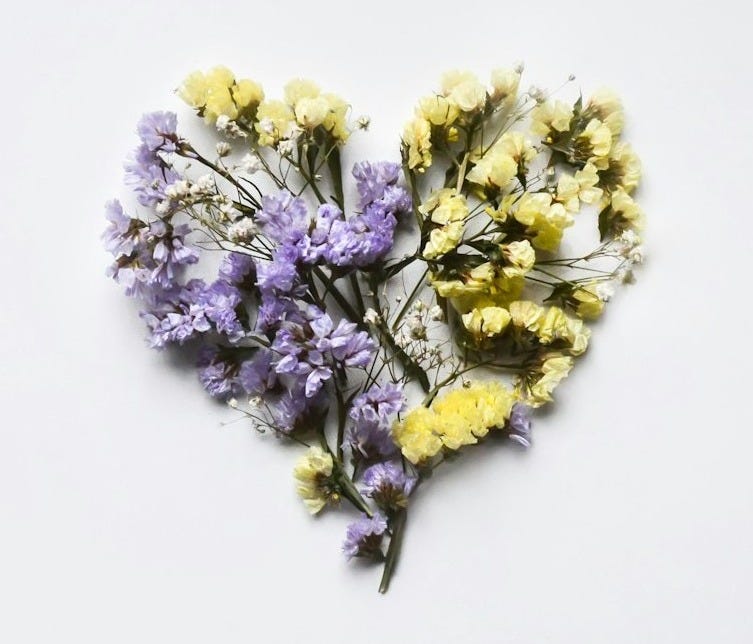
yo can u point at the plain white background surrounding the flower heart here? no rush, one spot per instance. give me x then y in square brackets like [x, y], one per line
[129, 514]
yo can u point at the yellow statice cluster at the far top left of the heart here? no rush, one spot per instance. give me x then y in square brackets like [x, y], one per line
[217, 93]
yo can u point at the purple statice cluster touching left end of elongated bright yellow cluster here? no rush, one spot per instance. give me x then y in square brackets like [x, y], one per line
[369, 435]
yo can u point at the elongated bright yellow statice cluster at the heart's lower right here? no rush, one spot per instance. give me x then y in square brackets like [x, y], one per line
[458, 418]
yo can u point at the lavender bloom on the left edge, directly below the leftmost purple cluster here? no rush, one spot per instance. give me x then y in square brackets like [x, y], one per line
[176, 316]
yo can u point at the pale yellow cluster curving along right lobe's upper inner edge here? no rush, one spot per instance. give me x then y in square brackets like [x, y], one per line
[462, 97]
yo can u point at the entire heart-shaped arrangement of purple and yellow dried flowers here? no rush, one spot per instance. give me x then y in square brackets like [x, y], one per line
[381, 364]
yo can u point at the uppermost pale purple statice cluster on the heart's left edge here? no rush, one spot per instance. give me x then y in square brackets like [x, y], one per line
[148, 171]
